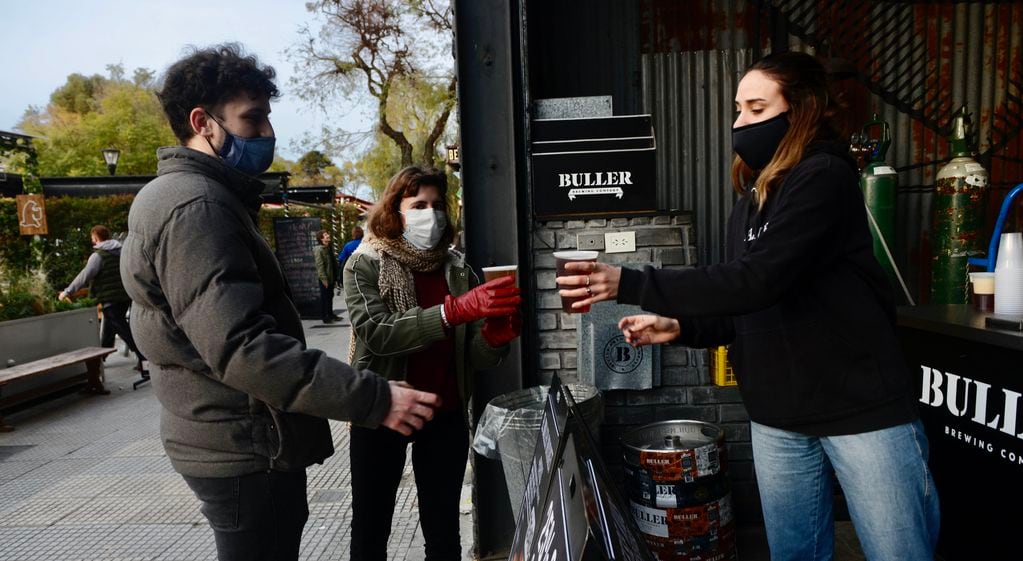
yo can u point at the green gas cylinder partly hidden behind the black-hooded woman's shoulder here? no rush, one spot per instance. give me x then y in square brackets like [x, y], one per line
[880, 184]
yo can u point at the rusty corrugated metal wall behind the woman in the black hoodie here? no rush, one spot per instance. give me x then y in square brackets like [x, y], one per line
[915, 64]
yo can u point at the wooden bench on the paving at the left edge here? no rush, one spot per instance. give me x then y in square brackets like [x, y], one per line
[92, 357]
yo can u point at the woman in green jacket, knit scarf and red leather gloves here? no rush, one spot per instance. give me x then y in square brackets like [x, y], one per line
[417, 320]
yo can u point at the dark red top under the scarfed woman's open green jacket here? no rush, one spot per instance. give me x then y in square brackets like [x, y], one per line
[433, 369]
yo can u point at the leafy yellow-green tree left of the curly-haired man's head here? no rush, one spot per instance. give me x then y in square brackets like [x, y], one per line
[90, 114]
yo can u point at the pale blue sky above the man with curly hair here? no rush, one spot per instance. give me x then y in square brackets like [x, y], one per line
[45, 41]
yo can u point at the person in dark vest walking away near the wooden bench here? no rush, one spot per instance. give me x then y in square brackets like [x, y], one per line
[103, 276]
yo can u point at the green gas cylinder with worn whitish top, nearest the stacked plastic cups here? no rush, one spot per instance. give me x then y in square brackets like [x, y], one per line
[958, 227]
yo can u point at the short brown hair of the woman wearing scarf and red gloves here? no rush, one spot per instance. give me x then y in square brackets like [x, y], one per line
[385, 218]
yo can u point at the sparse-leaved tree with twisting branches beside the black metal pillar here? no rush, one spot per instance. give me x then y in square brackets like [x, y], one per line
[382, 48]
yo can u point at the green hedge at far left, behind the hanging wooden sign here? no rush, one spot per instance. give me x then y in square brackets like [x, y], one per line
[64, 252]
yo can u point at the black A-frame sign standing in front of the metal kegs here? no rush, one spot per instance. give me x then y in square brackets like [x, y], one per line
[570, 510]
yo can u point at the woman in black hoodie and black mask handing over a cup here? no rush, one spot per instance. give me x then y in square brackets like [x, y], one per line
[810, 316]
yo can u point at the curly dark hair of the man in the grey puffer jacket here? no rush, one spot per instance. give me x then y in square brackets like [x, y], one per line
[208, 78]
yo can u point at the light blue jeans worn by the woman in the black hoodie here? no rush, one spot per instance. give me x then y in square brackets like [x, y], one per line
[884, 478]
